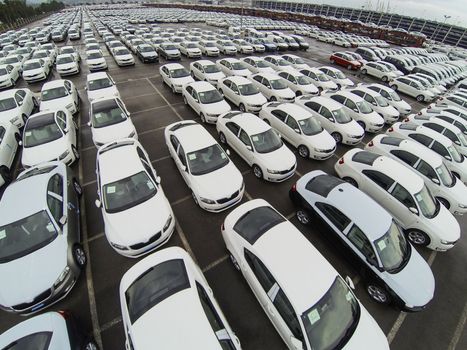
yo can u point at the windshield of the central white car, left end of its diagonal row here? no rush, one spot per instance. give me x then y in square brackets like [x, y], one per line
[207, 160]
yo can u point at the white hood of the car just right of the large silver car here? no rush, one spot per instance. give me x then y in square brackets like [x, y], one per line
[138, 224]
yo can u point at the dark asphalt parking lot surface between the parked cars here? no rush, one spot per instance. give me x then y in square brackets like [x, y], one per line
[153, 106]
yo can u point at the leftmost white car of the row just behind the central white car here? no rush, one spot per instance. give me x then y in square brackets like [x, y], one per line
[205, 100]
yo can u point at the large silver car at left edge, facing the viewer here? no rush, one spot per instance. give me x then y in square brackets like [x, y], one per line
[40, 252]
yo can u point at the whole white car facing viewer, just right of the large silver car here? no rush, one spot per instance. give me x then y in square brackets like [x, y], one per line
[137, 215]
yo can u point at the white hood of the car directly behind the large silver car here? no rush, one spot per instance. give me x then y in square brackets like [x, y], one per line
[45, 152]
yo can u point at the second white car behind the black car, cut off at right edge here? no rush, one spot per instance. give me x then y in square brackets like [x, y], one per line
[444, 186]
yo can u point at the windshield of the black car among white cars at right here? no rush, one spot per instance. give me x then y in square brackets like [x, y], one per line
[392, 249]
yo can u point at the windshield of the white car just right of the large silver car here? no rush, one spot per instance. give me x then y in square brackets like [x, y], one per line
[128, 192]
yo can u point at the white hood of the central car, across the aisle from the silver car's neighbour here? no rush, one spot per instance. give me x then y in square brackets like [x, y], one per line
[227, 180]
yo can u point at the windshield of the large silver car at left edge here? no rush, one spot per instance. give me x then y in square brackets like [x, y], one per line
[25, 236]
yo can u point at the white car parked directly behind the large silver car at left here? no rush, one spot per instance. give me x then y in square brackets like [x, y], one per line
[48, 136]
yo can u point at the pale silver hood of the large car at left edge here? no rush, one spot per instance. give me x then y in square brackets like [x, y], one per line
[25, 278]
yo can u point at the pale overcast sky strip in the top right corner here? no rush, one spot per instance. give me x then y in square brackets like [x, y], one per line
[429, 9]
